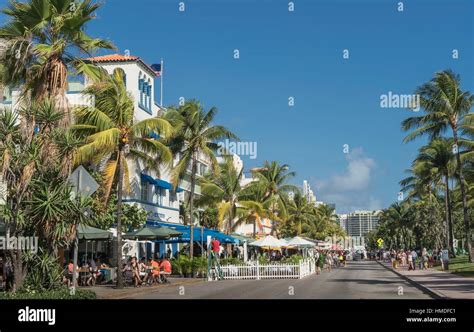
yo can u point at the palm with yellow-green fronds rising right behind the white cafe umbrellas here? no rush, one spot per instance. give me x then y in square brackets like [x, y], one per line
[273, 177]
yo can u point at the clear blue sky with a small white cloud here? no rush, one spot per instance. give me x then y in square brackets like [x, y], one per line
[299, 54]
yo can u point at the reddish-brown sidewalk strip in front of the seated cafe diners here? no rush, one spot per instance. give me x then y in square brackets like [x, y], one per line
[109, 292]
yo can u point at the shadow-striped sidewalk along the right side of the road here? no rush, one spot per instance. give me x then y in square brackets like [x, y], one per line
[441, 284]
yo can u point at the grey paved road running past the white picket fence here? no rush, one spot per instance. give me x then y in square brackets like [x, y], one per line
[358, 280]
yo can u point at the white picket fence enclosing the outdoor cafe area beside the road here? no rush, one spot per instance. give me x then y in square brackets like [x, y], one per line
[254, 270]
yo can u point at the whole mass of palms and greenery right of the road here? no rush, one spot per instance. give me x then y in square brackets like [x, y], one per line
[438, 207]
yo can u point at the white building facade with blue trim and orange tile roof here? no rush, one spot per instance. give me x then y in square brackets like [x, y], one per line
[152, 193]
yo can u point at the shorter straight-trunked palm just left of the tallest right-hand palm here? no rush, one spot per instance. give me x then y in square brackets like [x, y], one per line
[438, 157]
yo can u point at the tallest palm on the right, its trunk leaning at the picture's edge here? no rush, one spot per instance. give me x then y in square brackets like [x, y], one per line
[445, 106]
